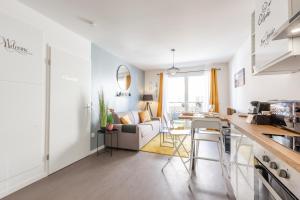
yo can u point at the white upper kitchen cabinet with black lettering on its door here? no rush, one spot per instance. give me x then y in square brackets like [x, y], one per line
[271, 56]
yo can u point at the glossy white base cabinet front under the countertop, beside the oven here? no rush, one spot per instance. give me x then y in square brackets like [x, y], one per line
[242, 165]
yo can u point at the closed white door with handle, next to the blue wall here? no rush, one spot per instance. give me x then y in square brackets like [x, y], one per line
[69, 120]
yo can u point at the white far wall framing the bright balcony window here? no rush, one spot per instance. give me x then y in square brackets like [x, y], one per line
[152, 84]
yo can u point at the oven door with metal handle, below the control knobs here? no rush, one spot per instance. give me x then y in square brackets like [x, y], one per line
[267, 186]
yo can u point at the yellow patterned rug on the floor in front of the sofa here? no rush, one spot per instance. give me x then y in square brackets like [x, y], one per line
[166, 149]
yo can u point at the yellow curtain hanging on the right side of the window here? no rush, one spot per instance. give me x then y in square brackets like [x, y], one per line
[214, 96]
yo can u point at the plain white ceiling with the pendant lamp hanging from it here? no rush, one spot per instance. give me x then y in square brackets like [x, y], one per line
[142, 32]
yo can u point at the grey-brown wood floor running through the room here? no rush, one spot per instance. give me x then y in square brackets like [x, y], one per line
[127, 175]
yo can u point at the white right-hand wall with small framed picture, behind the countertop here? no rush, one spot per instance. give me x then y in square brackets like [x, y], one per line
[261, 88]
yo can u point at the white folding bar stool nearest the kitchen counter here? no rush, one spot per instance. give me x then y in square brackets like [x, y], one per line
[198, 134]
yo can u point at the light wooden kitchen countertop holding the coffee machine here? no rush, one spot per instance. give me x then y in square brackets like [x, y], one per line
[255, 132]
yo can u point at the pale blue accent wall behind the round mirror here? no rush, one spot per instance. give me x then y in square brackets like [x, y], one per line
[104, 70]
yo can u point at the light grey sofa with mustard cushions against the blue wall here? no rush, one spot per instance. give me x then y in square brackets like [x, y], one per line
[135, 135]
